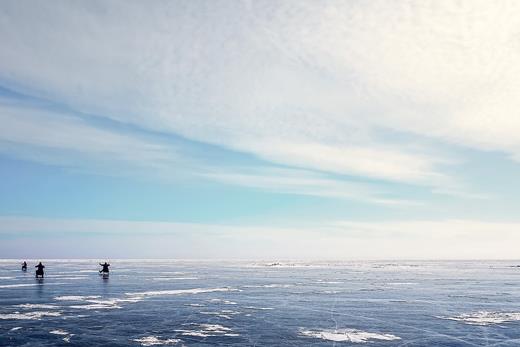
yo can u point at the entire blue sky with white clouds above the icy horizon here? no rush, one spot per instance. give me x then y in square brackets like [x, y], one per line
[260, 129]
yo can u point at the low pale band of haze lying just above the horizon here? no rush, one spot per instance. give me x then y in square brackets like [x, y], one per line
[426, 240]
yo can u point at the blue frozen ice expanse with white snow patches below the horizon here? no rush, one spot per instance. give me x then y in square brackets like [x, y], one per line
[179, 303]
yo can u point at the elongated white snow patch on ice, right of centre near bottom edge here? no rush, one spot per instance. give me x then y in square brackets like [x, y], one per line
[348, 335]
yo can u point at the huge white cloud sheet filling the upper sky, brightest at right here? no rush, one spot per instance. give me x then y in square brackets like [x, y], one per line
[303, 84]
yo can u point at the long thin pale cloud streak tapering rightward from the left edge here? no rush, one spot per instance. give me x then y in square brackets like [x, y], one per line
[58, 138]
